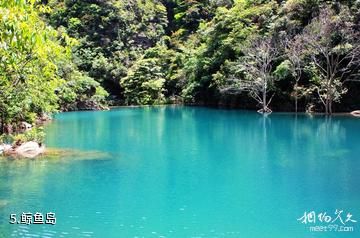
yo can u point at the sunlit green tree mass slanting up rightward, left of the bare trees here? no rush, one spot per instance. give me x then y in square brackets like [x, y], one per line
[220, 42]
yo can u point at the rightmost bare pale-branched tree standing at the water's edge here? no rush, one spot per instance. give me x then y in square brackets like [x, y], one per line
[333, 46]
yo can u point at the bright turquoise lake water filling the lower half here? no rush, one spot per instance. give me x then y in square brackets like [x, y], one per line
[187, 172]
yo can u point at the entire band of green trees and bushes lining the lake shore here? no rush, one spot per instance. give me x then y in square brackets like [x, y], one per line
[292, 55]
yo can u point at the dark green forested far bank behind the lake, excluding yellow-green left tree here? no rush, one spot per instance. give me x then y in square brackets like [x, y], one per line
[152, 51]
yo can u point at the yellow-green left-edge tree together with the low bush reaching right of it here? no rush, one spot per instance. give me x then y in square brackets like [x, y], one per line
[33, 58]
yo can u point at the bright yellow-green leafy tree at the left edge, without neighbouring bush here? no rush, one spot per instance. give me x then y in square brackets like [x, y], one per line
[28, 50]
